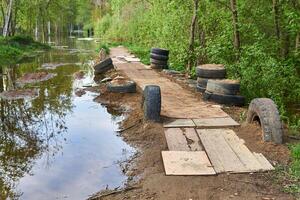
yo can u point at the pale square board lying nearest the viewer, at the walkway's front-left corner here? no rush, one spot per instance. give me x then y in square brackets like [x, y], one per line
[187, 163]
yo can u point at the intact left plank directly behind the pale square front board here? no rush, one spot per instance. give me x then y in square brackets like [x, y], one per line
[176, 140]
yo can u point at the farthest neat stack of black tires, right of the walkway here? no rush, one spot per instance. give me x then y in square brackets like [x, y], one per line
[159, 58]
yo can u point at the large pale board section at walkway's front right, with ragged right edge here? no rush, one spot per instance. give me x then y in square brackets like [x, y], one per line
[228, 153]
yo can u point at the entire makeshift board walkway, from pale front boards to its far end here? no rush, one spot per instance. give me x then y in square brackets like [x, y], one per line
[196, 146]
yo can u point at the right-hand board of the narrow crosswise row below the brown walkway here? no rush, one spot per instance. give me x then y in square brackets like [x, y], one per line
[215, 122]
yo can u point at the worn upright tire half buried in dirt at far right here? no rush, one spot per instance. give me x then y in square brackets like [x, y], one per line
[266, 111]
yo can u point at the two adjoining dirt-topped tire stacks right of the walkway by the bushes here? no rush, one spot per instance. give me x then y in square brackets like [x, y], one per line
[211, 81]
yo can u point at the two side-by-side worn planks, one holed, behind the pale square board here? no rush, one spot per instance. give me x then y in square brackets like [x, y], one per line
[182, 139]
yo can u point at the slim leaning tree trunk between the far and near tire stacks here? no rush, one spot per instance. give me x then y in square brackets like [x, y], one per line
[192, 34]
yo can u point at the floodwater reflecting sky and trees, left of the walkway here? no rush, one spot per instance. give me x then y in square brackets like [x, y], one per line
[58, 146]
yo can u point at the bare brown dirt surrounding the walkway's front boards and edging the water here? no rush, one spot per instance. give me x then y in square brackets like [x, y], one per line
[147, 179]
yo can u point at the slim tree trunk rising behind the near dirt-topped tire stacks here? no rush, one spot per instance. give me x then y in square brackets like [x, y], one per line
[236, 31]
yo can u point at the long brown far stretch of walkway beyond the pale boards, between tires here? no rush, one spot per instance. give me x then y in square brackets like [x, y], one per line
[177, 102]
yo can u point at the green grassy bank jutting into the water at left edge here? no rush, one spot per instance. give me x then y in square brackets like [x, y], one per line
[14, 49]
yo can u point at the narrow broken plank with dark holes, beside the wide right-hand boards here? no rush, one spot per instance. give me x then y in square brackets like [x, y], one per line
[193, 139]
